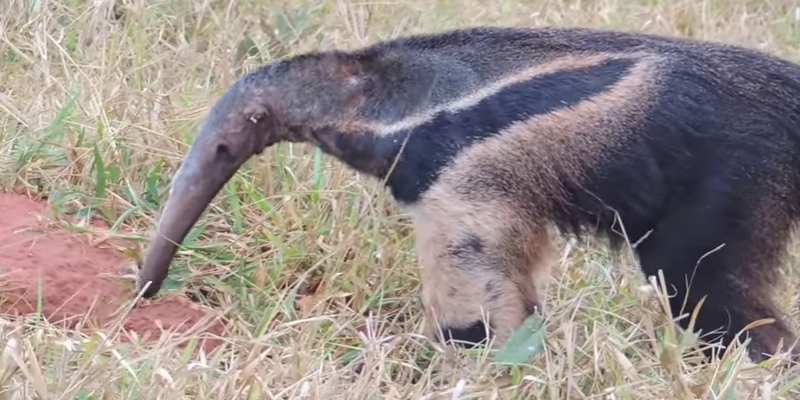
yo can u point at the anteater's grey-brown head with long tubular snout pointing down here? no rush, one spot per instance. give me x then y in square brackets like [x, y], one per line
[287, 101]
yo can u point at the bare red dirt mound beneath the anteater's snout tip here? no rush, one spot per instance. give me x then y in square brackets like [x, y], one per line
[77, 278]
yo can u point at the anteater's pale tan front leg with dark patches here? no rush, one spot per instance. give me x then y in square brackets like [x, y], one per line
[480, 263]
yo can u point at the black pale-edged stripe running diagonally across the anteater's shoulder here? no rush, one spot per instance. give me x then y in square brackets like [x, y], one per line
[433, 145]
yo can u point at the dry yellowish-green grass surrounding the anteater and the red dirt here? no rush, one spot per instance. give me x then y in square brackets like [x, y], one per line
[311, 263]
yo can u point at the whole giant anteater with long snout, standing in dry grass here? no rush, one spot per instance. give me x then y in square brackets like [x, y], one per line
[495, 139]
